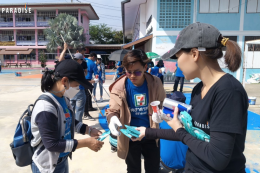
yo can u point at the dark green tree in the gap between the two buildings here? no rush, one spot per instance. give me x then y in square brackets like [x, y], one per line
[102, 34]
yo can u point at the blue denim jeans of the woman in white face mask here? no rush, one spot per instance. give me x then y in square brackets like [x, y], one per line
[62, 167]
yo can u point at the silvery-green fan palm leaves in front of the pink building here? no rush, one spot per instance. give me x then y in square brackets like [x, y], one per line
[67, 26]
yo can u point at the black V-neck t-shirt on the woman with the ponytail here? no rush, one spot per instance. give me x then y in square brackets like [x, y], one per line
[223, 109]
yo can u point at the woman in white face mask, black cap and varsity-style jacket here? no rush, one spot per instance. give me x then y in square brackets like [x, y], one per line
[53, 129]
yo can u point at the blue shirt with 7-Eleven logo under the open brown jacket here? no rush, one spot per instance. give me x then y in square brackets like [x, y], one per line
[138, 100]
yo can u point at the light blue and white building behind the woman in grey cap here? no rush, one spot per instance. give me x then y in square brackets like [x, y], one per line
[153, 25]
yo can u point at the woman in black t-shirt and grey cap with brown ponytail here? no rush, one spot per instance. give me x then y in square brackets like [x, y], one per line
[219, 103]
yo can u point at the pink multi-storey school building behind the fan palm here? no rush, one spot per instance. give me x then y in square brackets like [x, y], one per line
[21, 31]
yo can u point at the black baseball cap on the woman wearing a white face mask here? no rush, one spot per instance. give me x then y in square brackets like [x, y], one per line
[72, 70]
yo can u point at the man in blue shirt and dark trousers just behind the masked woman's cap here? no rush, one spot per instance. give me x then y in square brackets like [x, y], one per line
[92, 69]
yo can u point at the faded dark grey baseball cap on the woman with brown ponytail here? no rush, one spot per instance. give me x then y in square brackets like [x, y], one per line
[199, 35]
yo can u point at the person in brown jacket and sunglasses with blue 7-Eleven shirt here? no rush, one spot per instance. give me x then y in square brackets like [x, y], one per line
[129, 105]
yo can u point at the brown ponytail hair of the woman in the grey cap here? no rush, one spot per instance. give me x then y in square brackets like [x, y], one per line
[232, 56]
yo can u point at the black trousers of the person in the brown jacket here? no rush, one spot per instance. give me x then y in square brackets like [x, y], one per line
[151, 155]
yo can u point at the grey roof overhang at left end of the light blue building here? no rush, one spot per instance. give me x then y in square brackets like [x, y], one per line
[130, 10]
